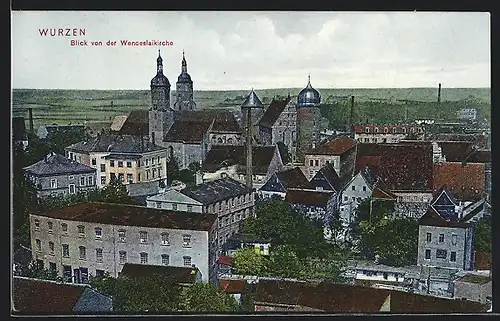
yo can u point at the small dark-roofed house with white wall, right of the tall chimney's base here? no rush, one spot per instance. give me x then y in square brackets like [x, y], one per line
[280, 182]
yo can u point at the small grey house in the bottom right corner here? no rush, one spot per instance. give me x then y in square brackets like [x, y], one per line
[473, 287]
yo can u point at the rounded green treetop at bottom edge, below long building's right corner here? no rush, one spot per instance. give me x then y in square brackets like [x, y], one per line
[204, 297]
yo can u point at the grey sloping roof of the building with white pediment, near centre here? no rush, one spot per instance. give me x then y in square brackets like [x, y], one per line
[216, 190]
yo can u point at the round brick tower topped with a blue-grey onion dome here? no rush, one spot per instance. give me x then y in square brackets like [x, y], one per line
[308, 119]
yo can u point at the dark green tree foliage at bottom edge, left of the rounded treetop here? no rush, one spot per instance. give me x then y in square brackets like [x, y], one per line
[136, 295]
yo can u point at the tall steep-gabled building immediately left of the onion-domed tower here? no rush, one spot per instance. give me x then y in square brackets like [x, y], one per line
[279, 124]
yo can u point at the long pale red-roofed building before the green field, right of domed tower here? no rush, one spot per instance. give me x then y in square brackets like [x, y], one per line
[370, 133]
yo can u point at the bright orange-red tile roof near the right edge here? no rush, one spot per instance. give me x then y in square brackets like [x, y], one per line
[465, 181]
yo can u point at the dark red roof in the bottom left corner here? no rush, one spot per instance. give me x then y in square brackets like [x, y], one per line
[37, 296]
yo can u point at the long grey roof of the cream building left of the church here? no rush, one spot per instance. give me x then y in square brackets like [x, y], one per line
[114, 143]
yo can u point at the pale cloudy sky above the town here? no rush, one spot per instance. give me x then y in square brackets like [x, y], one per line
[242, 49]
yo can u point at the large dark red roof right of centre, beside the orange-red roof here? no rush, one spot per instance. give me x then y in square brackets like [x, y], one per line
[407, 167]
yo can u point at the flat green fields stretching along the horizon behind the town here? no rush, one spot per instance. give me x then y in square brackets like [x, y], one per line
[78, 106]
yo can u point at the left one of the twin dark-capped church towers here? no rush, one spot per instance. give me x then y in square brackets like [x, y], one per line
[161, 116]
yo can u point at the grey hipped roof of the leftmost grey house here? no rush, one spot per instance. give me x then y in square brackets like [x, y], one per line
[56, 164]
